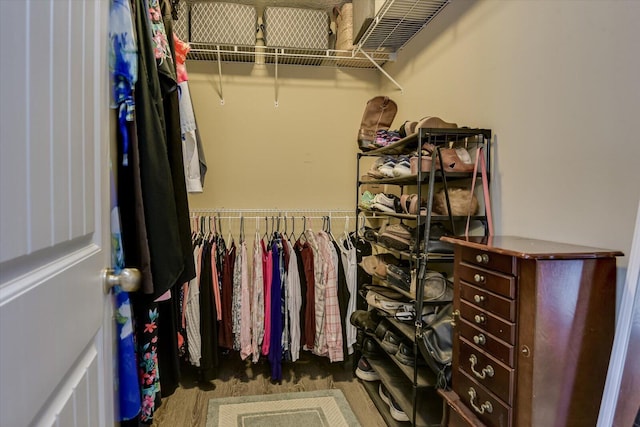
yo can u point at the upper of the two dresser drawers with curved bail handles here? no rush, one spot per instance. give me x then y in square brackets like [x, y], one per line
[487, 371]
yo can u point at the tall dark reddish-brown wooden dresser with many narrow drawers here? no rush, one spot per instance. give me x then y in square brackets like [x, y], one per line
[533, 330]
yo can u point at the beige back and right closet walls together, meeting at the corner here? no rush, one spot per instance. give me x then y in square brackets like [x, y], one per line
[555, 80]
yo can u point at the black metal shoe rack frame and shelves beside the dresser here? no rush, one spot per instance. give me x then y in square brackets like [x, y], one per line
[415, 388]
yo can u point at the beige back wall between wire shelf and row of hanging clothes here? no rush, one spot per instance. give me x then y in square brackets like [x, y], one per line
[298, 155]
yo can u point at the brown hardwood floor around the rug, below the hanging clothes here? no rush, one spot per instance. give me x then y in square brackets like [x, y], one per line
[187, 406]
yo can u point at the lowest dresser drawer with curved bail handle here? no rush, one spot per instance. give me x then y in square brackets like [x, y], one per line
[482, 403]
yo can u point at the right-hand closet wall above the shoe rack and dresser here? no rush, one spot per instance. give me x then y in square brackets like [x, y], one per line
[558, 82]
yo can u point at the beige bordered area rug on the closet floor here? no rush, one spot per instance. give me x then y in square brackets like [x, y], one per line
[321, 408]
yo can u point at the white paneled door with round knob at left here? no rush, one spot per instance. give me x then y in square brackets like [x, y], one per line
[55, 349]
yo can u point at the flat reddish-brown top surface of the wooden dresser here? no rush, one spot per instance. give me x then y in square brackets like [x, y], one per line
[523, 247]
